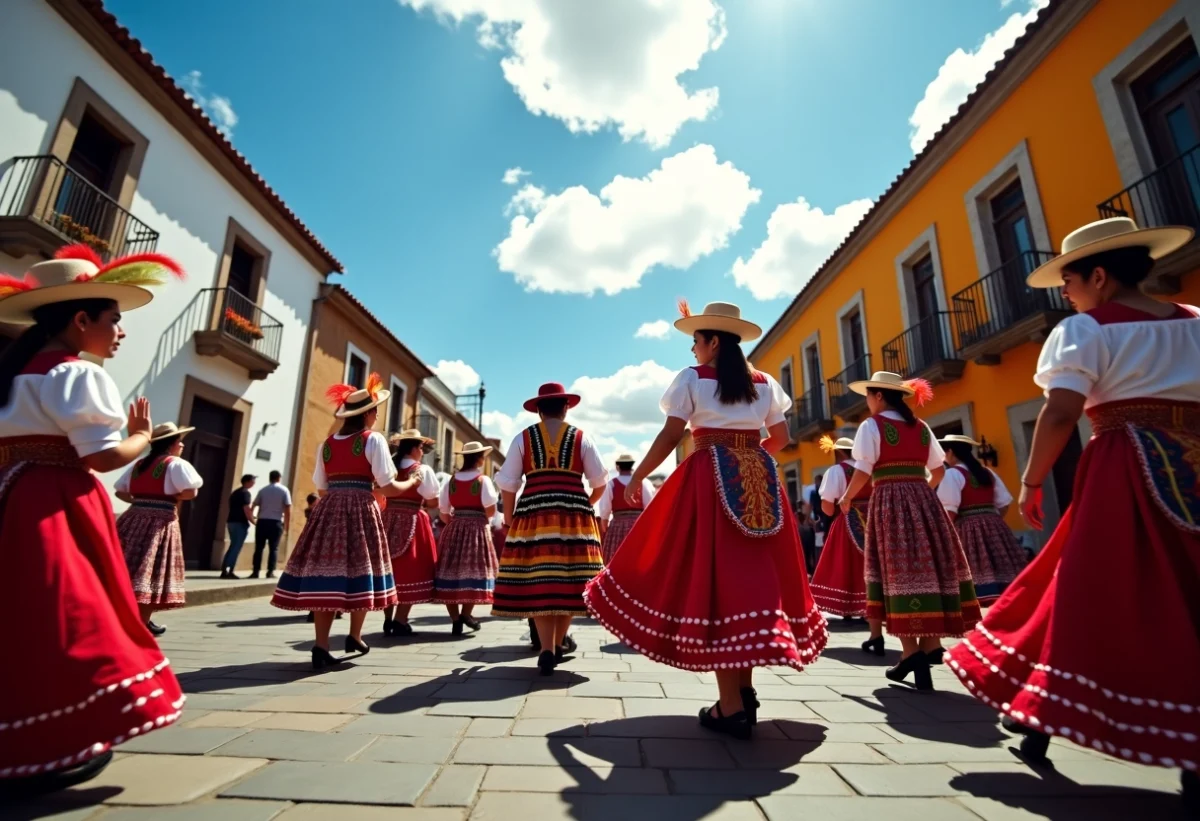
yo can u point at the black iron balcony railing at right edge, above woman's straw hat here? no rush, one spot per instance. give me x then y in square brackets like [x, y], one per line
[1171, 196]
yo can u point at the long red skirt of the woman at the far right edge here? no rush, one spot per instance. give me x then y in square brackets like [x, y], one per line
[1099, 640]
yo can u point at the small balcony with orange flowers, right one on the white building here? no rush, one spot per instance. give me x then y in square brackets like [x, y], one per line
[239, 331]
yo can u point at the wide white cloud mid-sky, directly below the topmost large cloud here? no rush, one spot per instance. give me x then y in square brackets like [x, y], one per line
[578, 242]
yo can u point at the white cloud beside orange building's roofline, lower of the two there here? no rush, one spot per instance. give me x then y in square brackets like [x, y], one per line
[800, 239]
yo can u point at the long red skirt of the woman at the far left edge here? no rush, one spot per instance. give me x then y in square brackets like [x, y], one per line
[91, 675]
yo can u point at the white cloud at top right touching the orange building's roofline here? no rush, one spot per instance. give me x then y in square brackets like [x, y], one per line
[963, 71]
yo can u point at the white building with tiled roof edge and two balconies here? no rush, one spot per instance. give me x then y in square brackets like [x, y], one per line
[99, 145]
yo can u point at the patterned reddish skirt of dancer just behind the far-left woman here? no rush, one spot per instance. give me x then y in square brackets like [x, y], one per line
[154, 554]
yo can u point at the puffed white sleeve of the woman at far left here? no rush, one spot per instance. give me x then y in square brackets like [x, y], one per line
[83, 400]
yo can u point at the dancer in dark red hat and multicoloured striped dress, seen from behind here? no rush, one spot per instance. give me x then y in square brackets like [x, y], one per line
[554, 547]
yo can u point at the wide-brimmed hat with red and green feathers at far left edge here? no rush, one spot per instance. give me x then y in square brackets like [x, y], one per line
[79, 273]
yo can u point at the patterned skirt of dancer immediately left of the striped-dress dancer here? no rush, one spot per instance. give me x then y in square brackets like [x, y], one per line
[466, 572]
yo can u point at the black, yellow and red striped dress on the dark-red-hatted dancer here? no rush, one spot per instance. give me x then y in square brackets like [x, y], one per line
[553, 550]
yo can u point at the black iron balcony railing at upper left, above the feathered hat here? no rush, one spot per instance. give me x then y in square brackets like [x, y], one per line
[45, 191]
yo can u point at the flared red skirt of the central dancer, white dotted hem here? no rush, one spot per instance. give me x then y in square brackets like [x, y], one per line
[691, 590]
